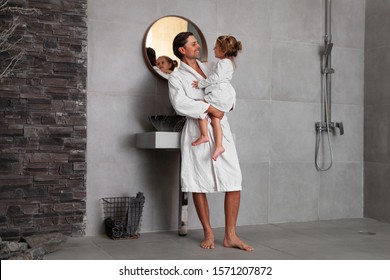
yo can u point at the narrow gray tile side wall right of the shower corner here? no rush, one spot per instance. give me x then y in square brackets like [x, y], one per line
[377, 108]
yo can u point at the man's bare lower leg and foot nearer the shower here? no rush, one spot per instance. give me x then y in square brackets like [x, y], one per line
[232, 204]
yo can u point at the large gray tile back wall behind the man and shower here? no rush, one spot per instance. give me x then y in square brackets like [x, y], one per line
[279, 87]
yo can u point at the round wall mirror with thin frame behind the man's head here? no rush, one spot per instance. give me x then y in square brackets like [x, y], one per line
[157, 43]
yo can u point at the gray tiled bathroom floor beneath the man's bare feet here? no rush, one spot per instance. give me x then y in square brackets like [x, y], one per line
[345, 239]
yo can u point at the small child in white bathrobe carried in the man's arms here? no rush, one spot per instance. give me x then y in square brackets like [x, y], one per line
[218, 90]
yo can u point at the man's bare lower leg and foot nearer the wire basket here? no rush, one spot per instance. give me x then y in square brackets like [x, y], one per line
[202, 208]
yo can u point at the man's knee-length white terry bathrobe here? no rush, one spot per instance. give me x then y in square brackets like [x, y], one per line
[199, 172]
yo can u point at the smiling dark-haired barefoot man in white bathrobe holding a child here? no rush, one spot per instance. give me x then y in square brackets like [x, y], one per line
[199, 173]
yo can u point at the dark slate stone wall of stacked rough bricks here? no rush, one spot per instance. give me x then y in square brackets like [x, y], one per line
[43, 122]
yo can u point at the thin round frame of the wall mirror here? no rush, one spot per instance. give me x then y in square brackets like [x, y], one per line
[202, 43]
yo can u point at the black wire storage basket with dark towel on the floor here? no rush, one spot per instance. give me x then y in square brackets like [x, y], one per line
[122, 216]
